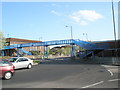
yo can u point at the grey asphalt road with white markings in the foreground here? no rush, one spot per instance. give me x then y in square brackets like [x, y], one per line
[65, 74]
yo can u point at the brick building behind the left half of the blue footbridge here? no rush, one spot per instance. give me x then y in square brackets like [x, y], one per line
[11, 41]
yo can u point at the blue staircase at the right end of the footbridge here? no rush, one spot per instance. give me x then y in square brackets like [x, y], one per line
[90, 49]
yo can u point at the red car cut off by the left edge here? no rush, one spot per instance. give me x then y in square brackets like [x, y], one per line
[6, 69]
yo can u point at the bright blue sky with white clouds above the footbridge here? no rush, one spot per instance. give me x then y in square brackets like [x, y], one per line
[46, 21]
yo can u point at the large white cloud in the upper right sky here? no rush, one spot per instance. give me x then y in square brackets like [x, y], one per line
[84, 17]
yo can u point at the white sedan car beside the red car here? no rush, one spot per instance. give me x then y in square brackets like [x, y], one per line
[21, 62]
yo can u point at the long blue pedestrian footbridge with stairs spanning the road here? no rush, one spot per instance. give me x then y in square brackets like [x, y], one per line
[89, 47]
